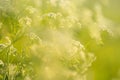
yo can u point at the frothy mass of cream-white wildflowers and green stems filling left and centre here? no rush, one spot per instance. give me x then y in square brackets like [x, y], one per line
[52, 39]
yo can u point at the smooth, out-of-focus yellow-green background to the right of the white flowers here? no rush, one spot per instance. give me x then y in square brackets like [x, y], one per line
[107, 64]
